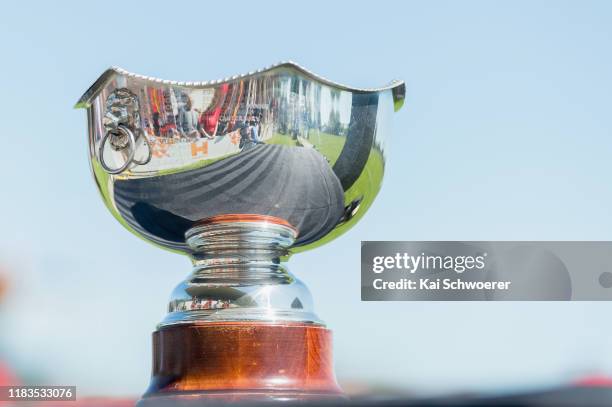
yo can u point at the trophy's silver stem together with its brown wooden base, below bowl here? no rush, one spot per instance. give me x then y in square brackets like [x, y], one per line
[241, 327]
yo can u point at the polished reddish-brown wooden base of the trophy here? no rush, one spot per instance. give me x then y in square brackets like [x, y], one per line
[241, 361]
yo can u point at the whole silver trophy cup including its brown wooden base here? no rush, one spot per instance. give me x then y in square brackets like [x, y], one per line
[239, 174]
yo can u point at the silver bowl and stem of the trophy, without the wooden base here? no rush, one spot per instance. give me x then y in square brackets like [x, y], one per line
[238, 174]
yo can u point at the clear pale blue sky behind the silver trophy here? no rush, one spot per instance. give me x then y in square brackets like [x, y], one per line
[506, 134]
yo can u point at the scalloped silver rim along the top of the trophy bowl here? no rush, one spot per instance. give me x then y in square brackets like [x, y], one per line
[99, 84]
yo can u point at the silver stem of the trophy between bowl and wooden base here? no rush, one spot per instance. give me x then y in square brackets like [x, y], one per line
[239, 274]
